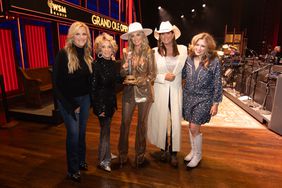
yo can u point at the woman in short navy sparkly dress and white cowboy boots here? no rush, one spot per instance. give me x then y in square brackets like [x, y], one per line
[202, 91]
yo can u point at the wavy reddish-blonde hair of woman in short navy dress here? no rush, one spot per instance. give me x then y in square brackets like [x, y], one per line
[210, 53]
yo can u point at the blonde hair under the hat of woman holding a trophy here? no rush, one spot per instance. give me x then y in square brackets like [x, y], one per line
[145, 48]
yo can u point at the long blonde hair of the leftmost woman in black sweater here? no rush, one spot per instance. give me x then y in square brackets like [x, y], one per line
[73, 62]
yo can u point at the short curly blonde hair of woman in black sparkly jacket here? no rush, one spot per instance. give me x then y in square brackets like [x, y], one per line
[104, 37]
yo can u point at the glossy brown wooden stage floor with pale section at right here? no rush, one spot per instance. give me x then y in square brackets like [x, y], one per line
[237, 152]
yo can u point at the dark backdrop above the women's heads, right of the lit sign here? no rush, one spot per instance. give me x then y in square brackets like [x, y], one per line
[259, 19]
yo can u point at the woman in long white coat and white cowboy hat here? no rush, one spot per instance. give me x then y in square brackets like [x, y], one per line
[166, 112]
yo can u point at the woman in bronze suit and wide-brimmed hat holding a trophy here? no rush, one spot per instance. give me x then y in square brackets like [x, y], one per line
[139, 94]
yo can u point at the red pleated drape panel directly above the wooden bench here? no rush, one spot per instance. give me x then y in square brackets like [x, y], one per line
[36, 46]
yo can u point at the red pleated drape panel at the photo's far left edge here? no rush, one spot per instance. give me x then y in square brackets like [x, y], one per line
[7, 60]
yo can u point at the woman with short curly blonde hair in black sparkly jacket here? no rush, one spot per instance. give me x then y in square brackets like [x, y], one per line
[104, 102]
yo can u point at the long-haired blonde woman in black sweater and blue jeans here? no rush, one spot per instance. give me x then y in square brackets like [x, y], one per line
[71, 74]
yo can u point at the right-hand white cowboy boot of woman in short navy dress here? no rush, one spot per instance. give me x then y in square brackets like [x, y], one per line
[198, 152]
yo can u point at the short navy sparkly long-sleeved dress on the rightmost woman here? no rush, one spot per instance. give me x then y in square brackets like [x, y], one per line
[202, 89]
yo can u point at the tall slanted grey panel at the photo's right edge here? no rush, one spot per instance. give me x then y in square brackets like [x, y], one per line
[276, 120]
